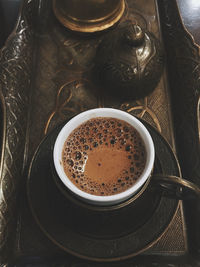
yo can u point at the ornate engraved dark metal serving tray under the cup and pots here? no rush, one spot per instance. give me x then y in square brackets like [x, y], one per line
[45, 80]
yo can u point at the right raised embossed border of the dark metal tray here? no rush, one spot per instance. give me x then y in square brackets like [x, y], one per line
[184, 78]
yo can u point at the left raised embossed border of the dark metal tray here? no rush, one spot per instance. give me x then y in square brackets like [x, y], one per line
[15, 83]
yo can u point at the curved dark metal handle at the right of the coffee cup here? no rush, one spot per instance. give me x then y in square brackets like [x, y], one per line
[176, 187]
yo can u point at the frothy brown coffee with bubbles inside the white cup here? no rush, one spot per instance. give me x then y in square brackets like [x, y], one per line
[104, 156]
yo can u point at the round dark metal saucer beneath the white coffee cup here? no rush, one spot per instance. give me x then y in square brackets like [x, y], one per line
[88, 233]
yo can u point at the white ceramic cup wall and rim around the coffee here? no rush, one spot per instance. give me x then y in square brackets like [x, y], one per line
[111, 113]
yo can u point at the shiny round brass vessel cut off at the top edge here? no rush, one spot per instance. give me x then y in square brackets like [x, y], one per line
[88, 15]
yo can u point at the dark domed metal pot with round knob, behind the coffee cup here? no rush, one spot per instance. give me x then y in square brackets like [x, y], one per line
[129, 62]
